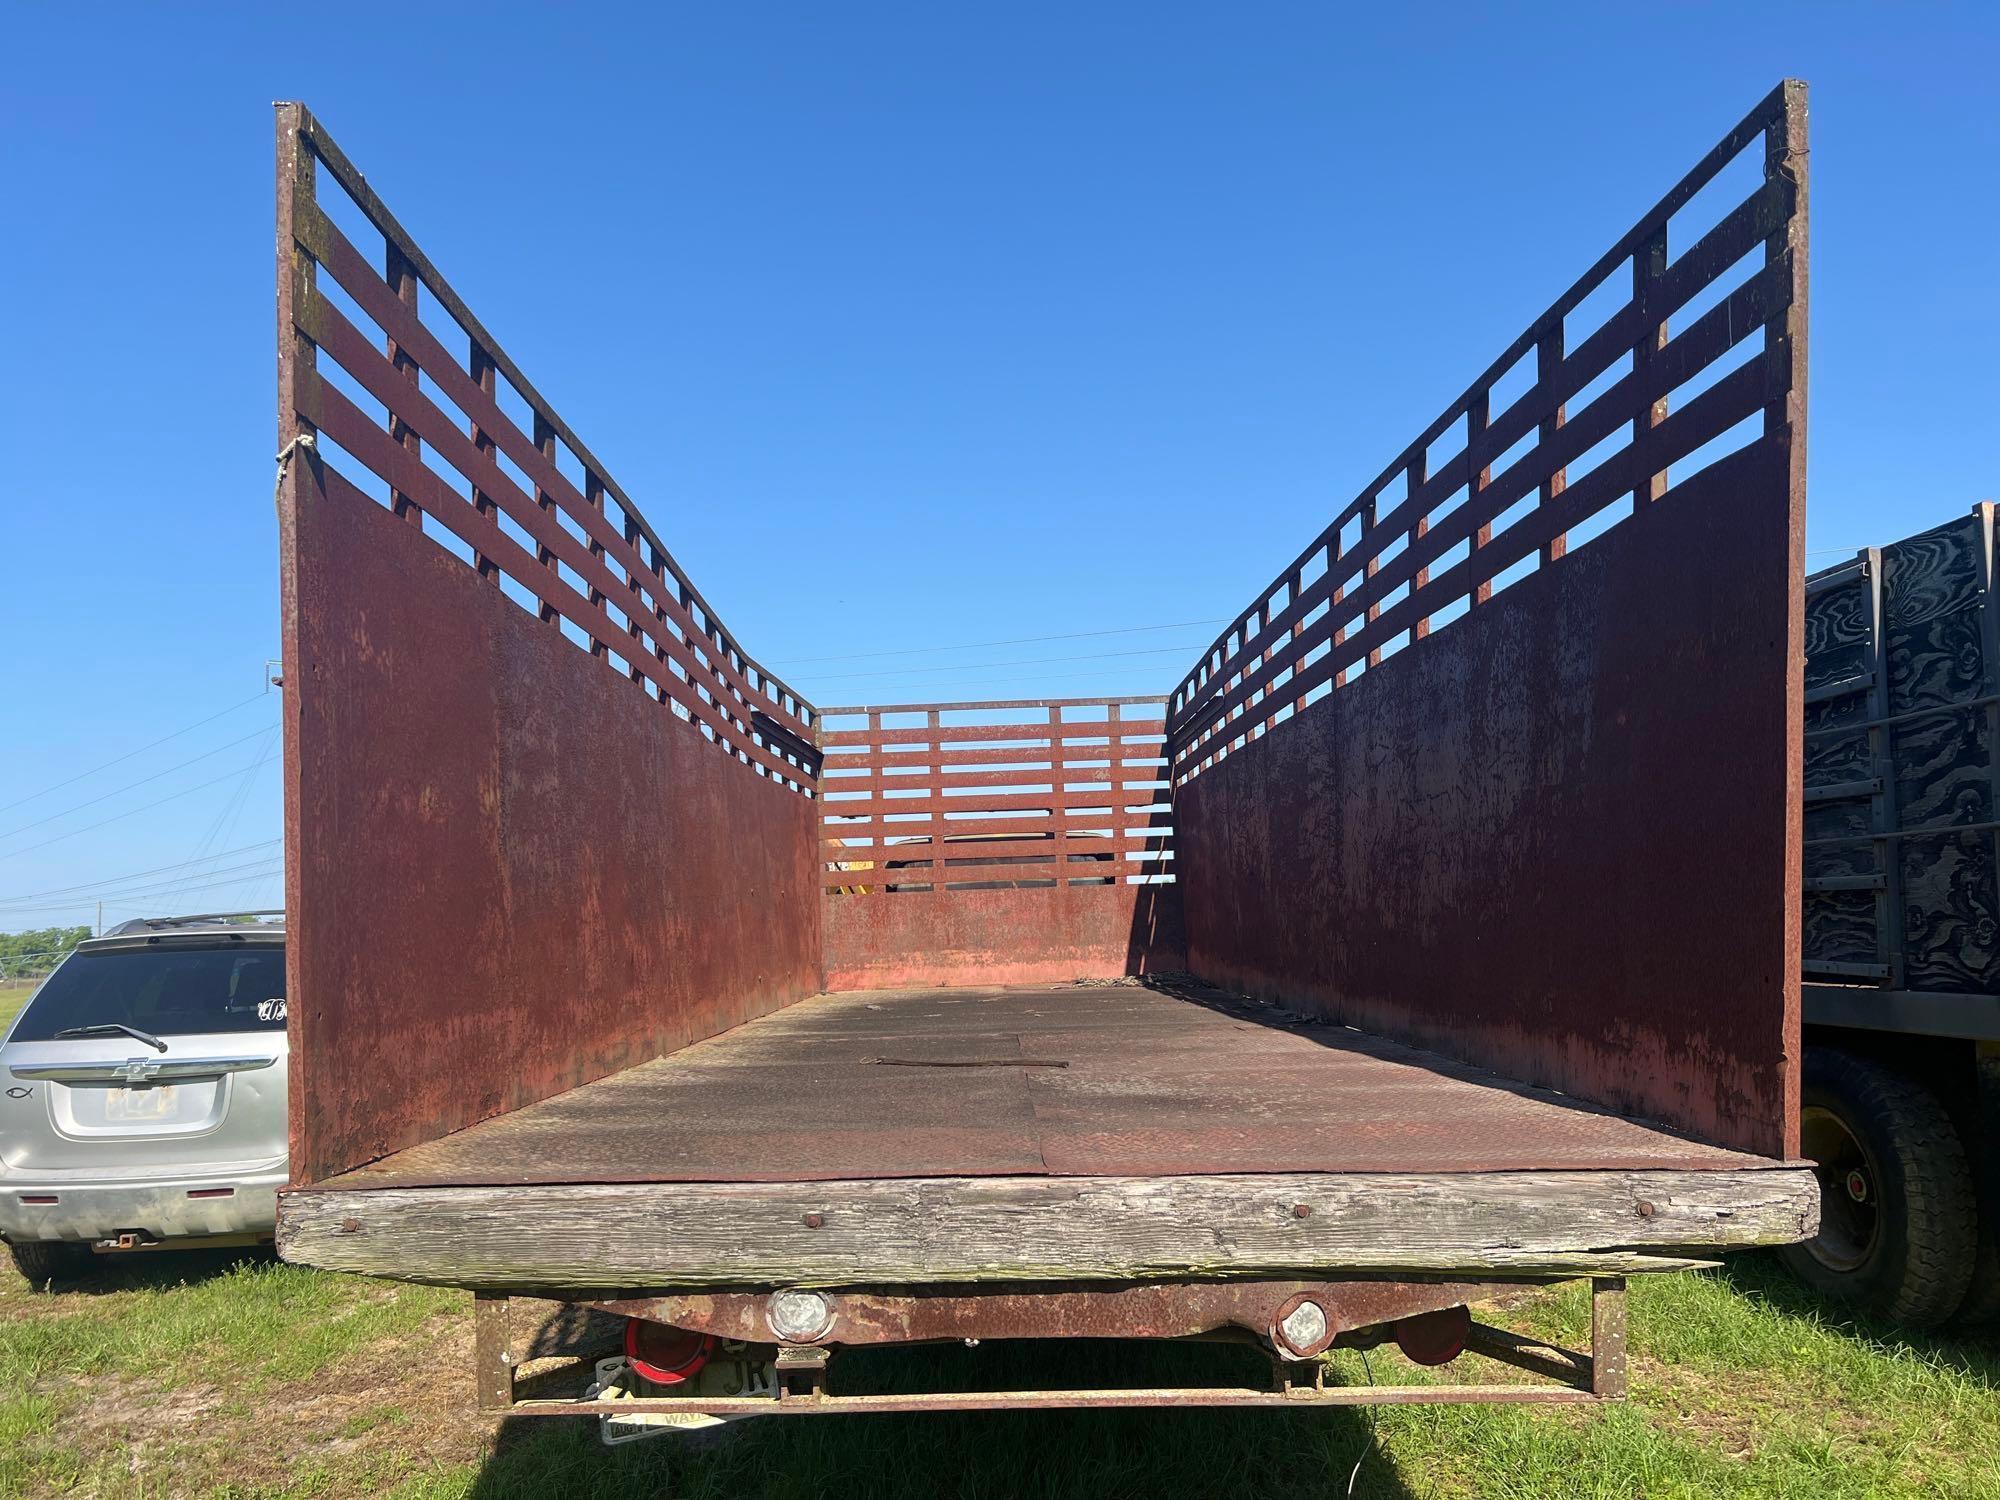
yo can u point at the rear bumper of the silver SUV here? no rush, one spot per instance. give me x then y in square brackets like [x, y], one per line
[171, 1209]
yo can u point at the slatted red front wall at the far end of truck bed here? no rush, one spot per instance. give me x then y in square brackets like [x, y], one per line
[1053, 831]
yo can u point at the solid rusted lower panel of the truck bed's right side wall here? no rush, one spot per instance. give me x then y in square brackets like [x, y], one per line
[1565, 865]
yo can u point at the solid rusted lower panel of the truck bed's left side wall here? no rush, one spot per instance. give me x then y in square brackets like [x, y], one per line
[477, 933]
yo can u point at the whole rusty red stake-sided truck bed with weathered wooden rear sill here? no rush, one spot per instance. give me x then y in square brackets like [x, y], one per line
[1381, 965]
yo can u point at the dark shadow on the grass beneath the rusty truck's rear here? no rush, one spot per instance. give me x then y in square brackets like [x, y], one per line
[895, 1457]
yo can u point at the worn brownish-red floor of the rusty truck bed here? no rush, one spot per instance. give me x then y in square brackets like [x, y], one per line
[1049, 1081]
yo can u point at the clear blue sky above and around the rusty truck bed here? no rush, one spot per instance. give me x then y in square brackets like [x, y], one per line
[907, 325]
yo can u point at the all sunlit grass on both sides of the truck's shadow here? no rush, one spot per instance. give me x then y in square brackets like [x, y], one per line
[245, 1377]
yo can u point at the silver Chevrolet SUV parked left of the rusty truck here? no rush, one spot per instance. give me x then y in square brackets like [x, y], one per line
[143, 1095]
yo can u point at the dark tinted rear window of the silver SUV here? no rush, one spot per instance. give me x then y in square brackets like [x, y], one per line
[169, 991]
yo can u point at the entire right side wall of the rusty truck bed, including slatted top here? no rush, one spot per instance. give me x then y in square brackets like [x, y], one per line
[1507, 761]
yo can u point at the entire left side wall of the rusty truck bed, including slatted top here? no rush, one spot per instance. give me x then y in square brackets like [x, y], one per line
[545, 819]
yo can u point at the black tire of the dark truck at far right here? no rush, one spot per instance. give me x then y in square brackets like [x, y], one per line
[1899, 1221]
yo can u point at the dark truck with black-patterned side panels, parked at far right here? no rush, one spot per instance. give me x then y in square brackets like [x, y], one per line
[1903, 925]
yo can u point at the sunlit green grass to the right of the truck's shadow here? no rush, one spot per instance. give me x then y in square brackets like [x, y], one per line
[1741, 1389]
